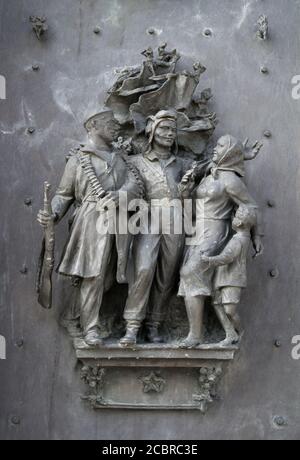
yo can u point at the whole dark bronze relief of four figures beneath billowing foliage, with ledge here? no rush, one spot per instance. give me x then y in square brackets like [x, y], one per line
[151, 146]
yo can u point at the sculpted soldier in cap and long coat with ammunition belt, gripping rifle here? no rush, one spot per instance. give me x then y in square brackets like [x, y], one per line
[94, 175]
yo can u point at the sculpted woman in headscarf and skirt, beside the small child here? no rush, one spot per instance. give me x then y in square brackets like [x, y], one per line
[216, 196]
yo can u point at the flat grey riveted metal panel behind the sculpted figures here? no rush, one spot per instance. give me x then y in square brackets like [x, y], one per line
[39, 381]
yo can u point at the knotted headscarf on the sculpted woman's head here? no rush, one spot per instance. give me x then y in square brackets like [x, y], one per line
[233, 158]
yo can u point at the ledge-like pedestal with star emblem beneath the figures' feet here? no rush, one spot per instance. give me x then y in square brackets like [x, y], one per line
[152, 376]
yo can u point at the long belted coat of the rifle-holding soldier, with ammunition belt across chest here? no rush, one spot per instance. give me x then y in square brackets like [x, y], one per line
[83, 253]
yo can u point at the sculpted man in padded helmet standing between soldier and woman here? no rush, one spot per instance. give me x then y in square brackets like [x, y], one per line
[156, 257]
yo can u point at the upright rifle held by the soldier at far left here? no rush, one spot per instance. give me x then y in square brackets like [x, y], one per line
[46, 260]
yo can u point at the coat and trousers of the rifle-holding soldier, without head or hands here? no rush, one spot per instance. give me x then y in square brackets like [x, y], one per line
[89, 252]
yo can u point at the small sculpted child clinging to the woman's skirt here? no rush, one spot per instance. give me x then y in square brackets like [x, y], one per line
[231, 274]
